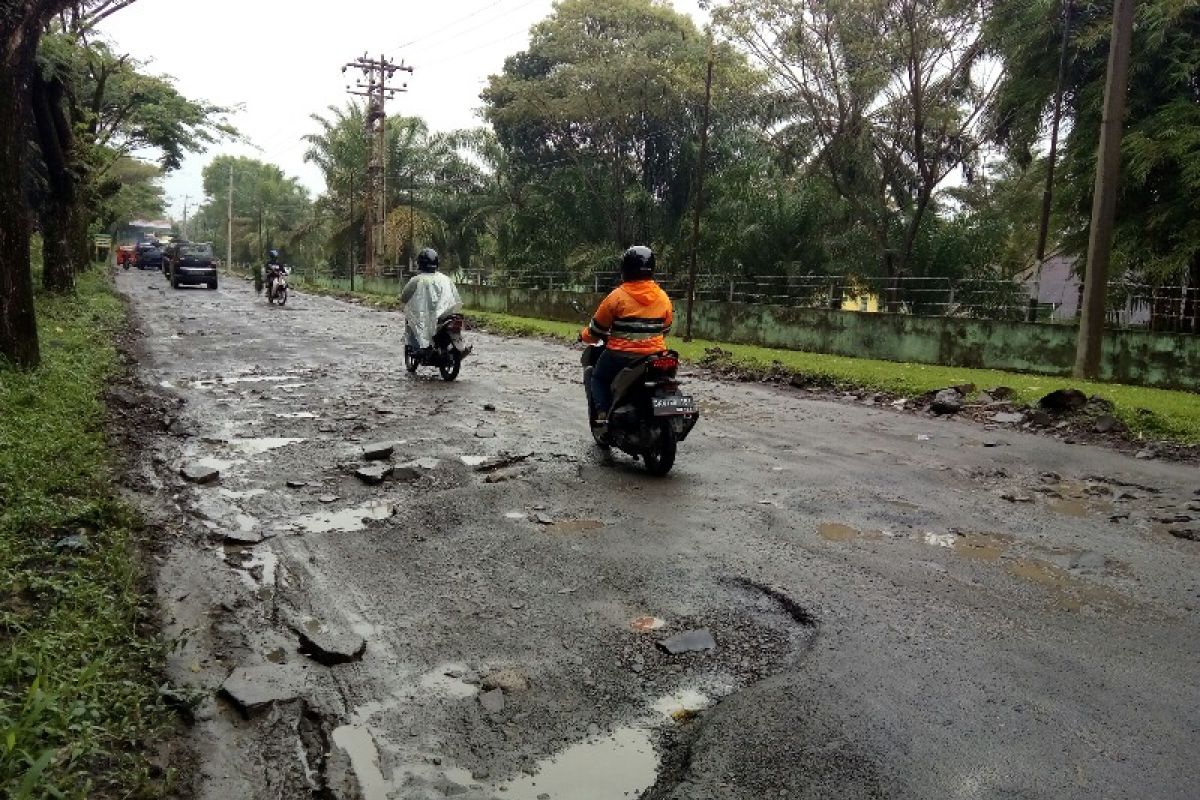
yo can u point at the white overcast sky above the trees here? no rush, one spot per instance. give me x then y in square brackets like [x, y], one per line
[280, 61]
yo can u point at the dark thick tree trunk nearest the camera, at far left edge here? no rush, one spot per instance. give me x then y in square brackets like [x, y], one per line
[19, 326]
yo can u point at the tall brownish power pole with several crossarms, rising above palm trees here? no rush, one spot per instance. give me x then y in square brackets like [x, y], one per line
[374, 86]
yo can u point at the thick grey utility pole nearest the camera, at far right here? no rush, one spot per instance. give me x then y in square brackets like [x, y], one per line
[1108, 176]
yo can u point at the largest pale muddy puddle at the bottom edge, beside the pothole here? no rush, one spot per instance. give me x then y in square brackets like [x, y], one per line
[616, 767]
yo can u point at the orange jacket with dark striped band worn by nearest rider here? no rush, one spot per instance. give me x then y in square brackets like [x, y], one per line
[634, 318]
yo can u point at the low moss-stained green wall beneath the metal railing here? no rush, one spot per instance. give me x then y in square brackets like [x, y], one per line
[1139, 358]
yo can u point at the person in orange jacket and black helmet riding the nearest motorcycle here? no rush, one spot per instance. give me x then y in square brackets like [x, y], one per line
[633, 322]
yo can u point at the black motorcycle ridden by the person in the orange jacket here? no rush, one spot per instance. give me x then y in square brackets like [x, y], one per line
[650, 417]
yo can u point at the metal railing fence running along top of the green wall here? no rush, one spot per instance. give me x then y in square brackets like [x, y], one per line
[1131, 305]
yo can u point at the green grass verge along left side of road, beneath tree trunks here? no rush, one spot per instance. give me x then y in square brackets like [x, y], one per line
[80, 664]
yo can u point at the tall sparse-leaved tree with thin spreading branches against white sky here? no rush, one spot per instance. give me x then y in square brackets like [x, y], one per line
[885, 98]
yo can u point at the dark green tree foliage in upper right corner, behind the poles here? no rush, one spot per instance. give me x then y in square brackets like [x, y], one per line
[1159, 210]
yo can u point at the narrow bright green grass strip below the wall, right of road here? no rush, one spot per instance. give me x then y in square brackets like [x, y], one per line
[1157, 414]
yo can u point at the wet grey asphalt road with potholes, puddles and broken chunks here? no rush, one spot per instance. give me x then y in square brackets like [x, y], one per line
[877, 605]
